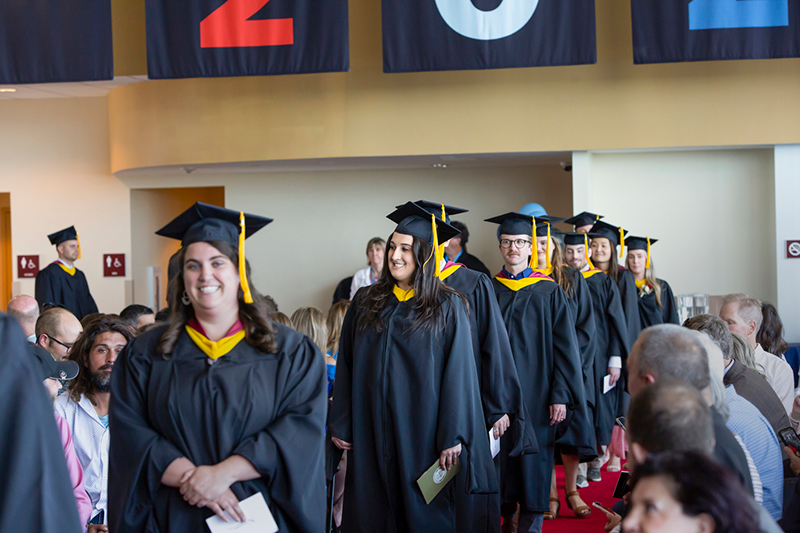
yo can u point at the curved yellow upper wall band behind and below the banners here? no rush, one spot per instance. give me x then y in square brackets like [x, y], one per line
[611, 105]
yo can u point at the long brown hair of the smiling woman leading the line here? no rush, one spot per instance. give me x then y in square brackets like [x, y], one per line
[257, 328]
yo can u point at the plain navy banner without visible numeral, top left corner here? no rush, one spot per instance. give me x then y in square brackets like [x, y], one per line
[43, 41]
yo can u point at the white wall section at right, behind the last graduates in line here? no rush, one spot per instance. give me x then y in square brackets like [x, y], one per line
[713, 212]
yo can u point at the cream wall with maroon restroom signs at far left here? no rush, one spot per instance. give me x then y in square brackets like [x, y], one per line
[54, 160]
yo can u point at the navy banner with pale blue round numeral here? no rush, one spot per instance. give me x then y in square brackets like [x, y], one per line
[483, 34]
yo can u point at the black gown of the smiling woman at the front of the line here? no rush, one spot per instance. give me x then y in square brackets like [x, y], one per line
[268, 408]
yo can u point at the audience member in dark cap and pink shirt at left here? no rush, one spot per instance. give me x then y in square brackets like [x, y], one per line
[52, 371]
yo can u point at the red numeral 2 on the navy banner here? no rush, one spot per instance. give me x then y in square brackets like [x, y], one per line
[228, 26]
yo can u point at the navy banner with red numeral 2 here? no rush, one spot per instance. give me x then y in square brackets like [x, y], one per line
[209, 38]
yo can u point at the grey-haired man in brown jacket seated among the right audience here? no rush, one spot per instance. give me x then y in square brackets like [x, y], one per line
[747, 382]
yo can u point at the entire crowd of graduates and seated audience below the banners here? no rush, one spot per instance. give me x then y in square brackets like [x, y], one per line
[426, 374]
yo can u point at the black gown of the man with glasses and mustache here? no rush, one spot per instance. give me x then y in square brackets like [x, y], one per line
[546, 352]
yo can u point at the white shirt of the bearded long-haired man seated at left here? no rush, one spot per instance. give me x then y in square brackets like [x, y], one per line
[91, 439]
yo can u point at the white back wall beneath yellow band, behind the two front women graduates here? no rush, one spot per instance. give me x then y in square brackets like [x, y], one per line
[323, 220]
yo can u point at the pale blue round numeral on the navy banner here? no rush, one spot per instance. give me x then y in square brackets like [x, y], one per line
[508, 18]
